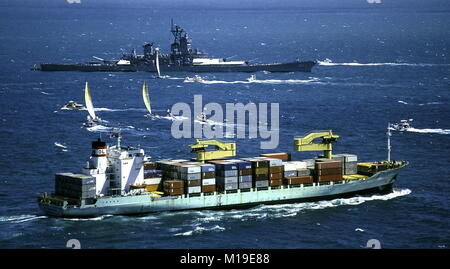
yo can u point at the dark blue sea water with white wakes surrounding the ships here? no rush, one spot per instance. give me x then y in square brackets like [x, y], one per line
[377, 66]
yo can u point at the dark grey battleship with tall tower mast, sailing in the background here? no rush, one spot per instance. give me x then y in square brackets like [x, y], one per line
[183, 58]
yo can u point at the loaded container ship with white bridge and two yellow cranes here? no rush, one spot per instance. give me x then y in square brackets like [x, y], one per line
[118, 180]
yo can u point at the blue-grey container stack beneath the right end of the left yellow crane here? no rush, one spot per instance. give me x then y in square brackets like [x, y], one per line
[226, 175]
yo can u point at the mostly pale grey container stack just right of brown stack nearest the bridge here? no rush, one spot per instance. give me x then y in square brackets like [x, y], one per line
[191, 174]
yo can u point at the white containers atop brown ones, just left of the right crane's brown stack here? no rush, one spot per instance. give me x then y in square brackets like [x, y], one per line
[296, 172]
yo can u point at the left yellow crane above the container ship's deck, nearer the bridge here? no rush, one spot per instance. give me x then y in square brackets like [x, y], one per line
[221, 150]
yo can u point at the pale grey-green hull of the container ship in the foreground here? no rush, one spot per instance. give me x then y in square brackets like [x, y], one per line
[142, 204]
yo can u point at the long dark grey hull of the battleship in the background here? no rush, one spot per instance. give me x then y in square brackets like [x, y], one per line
[248, 68]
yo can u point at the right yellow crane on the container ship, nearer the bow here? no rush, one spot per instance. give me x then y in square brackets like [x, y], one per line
[306, 143]
